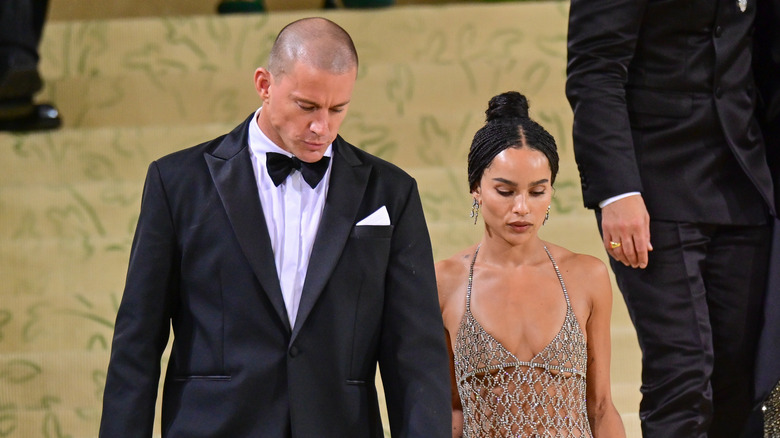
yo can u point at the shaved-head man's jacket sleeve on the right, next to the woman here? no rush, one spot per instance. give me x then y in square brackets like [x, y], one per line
[413, 357]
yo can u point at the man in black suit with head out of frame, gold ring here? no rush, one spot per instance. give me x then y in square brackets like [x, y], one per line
[672, 160]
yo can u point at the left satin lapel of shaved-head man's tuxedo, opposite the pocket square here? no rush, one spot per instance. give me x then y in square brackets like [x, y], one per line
[231, 169]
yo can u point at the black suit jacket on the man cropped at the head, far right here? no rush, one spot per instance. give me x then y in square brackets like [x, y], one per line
[664, 100]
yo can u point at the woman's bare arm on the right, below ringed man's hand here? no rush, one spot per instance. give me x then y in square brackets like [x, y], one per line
[602, 414]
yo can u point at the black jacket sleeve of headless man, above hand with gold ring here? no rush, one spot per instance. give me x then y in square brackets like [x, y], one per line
[602, 37]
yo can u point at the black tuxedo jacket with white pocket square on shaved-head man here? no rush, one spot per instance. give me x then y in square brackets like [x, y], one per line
[202, 264]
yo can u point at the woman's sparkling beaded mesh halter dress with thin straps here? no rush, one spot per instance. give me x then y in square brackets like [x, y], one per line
[506, 397]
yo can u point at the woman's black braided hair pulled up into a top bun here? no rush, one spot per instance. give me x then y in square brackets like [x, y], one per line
[508, 125]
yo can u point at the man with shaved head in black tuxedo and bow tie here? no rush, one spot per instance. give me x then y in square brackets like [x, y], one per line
[283, 290]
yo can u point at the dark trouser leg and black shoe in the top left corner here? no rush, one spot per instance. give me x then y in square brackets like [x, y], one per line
[21, 26]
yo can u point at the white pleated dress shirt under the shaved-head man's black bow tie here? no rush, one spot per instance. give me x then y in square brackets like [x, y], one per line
[292, 212]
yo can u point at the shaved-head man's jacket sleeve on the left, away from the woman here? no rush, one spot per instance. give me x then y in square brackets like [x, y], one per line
[143, 320]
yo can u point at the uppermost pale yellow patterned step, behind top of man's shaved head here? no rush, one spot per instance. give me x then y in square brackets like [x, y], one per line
[452, 34]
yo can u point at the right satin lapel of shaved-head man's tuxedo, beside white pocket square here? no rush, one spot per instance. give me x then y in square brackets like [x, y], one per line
[348, 181]
